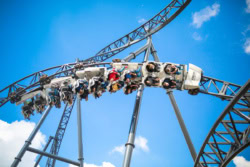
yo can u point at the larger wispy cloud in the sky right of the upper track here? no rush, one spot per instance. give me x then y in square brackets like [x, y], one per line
[205, 14]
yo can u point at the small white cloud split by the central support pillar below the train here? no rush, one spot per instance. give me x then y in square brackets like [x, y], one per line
[140, 144]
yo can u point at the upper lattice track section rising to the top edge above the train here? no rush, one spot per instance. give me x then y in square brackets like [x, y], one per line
[156, 23]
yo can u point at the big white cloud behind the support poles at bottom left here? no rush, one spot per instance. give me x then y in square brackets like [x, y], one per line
[12, 138]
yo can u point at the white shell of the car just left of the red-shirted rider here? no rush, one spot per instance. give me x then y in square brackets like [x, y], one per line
[90, 72]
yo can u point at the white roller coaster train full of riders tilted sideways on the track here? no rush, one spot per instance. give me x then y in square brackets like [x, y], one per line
[168, 76]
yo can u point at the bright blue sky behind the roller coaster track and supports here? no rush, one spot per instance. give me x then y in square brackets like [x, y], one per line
[36, 35]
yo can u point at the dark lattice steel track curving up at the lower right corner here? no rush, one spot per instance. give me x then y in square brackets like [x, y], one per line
[230, 133]
